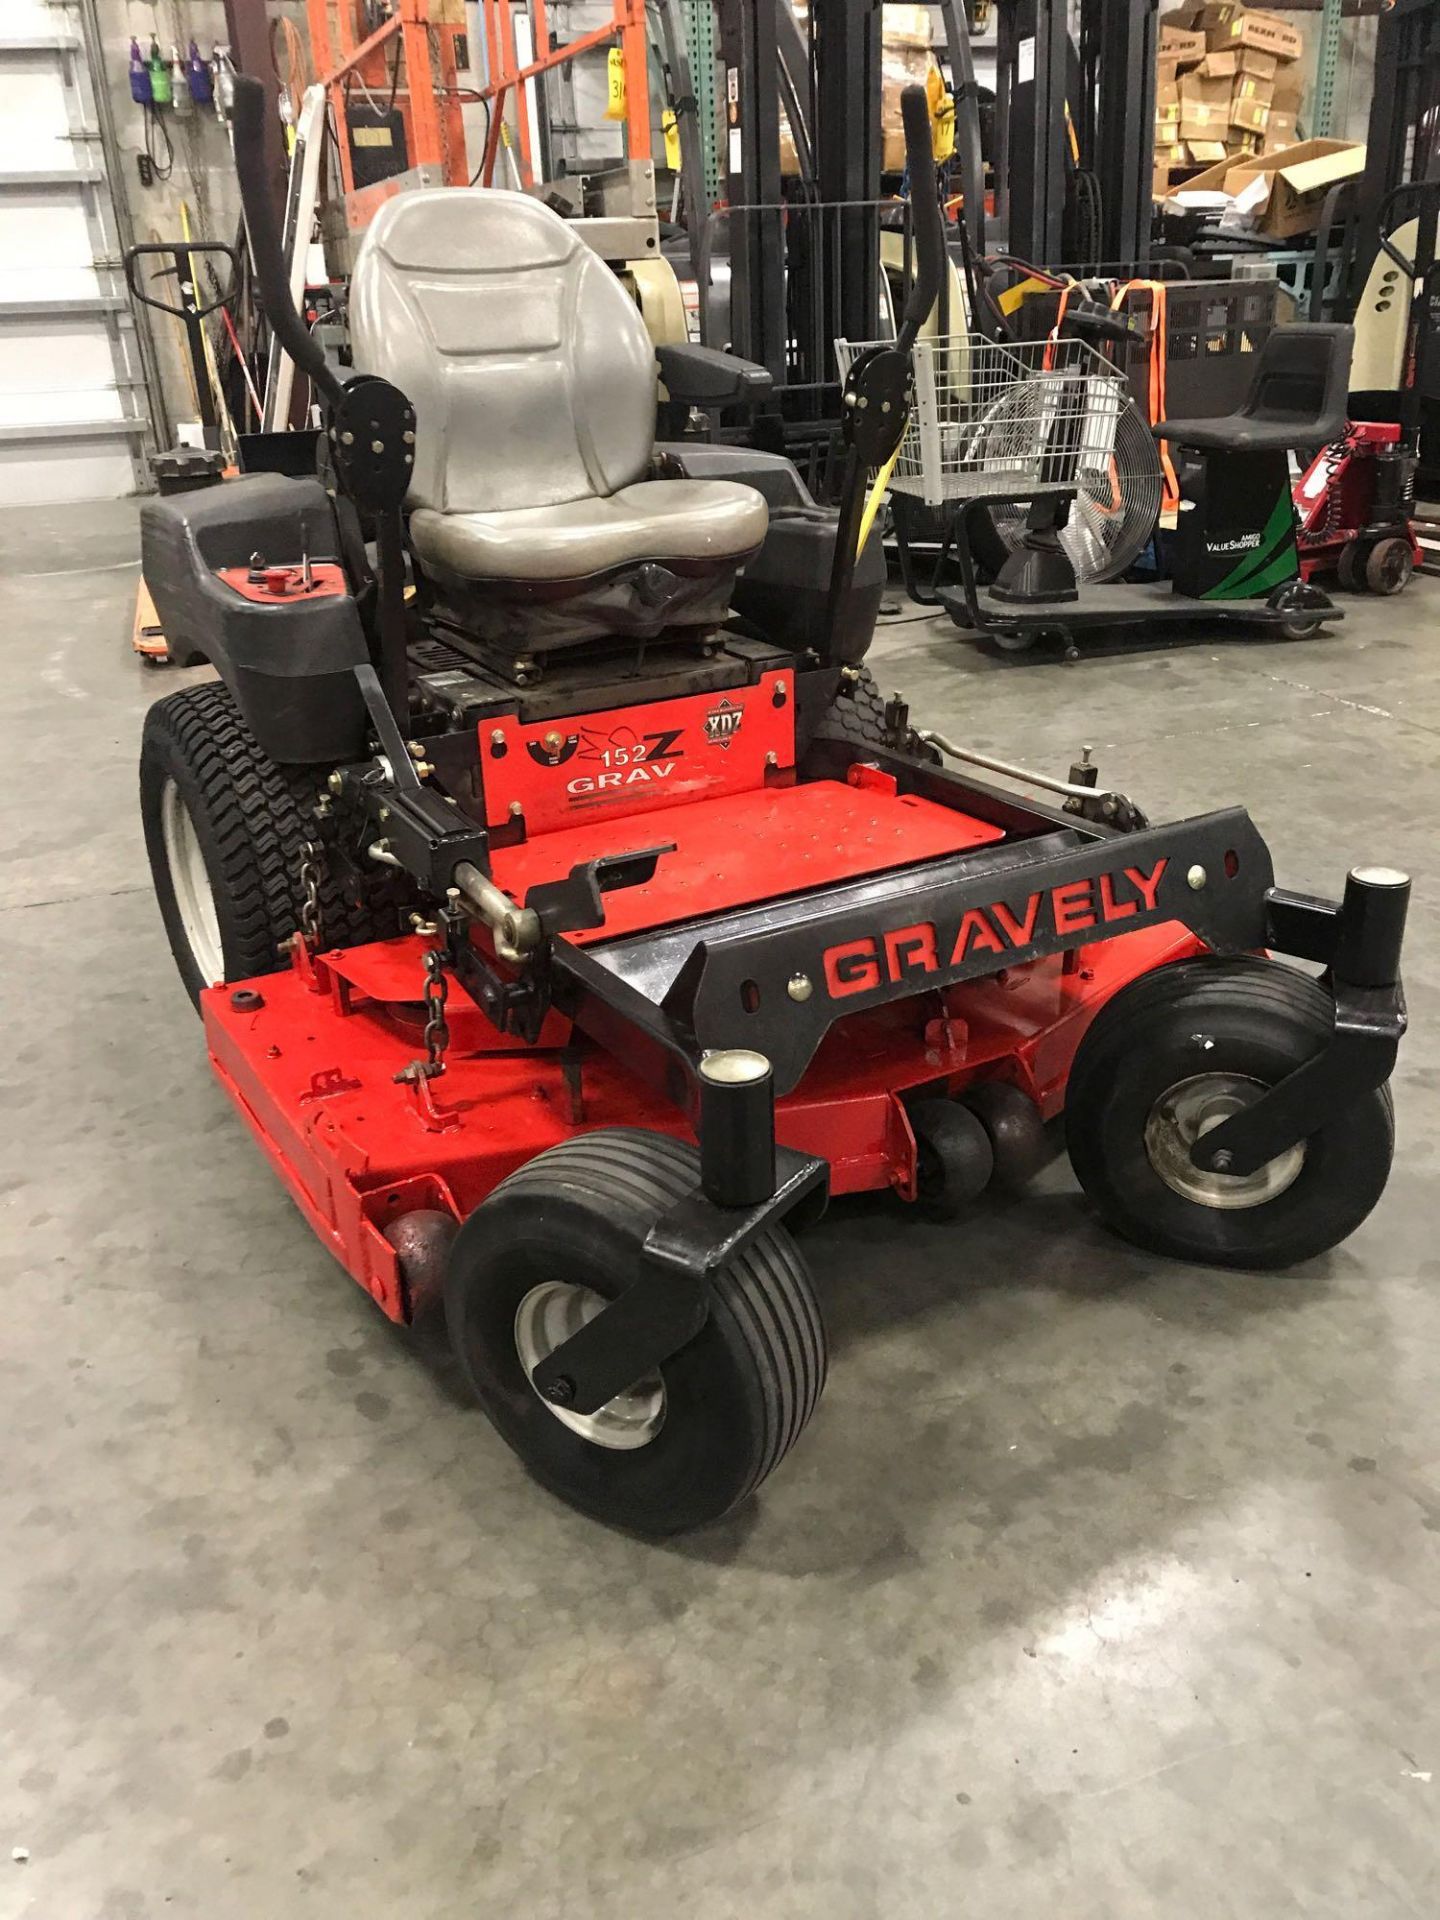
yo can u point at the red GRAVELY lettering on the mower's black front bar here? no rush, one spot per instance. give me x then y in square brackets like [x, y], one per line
[926, 948]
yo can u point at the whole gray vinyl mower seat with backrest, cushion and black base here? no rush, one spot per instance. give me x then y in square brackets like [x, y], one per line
[535, 393]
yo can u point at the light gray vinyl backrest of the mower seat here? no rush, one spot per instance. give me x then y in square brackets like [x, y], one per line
[529, 366]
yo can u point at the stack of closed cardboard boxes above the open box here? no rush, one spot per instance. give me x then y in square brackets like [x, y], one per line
[1228, 87]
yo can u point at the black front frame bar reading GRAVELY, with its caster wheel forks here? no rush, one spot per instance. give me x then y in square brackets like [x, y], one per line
[677, 997]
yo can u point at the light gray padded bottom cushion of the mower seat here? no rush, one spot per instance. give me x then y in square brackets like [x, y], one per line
[694, 525]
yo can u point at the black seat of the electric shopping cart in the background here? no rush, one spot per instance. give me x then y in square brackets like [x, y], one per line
[1297, 398]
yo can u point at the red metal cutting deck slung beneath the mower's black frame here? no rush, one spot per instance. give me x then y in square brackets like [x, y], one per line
[312, 1057]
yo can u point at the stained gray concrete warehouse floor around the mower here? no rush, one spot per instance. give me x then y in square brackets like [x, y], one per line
[1099, 1587]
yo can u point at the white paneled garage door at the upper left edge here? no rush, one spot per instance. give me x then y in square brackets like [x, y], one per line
[72, 393]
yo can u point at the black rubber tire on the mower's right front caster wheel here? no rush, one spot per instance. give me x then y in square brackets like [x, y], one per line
[1251, 1020]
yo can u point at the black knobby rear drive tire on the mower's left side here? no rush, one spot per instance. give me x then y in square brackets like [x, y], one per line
[251, 821]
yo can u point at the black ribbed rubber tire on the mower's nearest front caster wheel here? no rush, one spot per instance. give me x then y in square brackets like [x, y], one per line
[736, 1397]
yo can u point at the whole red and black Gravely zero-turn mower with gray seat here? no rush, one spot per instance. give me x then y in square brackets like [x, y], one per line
[569, 915]
